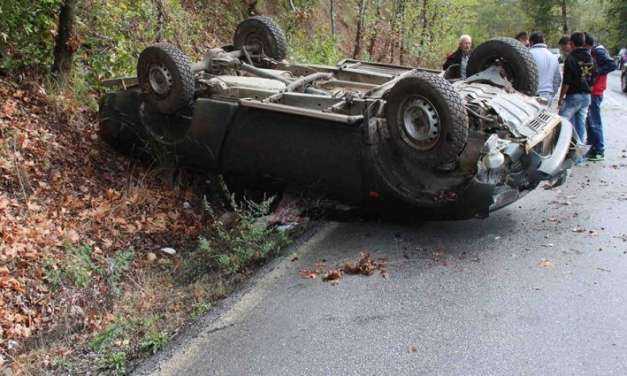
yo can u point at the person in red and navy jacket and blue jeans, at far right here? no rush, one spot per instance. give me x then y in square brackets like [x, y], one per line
[603, 64]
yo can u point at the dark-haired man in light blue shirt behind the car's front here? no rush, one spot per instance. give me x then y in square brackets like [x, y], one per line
[549, 77]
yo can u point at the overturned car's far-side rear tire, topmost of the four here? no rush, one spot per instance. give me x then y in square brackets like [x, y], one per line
[262, 32]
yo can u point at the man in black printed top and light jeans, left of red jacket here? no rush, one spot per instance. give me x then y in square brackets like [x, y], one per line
[574, 98]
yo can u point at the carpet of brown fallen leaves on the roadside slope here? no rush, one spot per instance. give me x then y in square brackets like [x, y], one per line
[60, 186]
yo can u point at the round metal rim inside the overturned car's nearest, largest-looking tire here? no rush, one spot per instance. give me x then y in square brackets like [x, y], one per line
[421, 123]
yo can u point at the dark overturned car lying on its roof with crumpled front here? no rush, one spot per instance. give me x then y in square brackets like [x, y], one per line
[377, 135]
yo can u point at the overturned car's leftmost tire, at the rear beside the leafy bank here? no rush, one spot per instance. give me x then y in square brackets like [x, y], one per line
[165, 77]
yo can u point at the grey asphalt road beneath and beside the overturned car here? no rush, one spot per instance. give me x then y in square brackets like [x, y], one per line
[539, 288]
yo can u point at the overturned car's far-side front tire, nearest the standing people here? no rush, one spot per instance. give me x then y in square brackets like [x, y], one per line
[513, 56]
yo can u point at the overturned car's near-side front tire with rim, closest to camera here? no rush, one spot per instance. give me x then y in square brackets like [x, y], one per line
[427, 118]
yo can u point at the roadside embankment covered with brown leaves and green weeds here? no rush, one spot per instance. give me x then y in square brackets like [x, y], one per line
[85, 281]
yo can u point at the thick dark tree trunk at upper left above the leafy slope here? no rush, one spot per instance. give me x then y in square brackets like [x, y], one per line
[63, 49]
